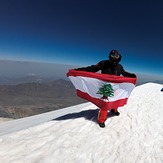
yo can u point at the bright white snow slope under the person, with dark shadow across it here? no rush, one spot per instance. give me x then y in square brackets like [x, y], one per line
[71, 135]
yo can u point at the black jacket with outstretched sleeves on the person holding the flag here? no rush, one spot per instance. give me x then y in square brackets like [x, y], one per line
[107, 67]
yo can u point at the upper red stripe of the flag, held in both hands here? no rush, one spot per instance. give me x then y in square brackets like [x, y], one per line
[104, 77]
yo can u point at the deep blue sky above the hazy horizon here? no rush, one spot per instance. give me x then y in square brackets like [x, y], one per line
[83, 32]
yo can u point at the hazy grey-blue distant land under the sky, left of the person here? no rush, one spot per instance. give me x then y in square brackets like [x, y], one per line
[16, 72]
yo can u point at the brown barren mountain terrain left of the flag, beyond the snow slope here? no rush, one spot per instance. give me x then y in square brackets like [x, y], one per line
[28, 99]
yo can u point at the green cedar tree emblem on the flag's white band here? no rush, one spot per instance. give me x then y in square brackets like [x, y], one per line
[106, 90]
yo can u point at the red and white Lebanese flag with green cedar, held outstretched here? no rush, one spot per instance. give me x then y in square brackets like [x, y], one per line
[104, 90]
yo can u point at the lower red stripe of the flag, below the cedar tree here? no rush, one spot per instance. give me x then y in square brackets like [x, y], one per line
[100, 103]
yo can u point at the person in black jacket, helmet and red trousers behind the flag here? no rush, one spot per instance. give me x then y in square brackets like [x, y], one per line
[112, 67]
